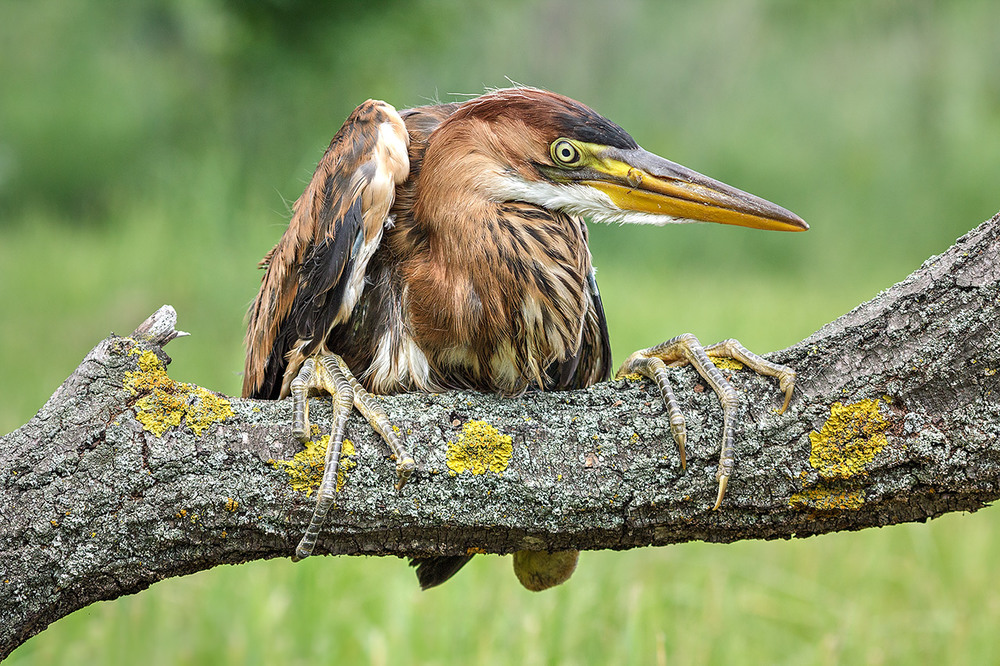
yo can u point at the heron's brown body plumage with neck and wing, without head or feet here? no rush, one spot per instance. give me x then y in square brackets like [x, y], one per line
[494, 295]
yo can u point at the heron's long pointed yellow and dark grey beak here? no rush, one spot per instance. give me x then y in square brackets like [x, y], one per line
[638, 180]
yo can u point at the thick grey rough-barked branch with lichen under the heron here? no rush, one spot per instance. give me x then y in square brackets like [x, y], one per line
[895, 418]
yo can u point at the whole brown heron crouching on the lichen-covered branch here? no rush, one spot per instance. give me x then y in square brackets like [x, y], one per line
[445, 247]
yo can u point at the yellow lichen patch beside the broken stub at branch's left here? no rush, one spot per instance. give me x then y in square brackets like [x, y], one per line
[165, 404]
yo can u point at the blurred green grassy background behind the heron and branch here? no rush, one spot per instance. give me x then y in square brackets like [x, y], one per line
[149, 153]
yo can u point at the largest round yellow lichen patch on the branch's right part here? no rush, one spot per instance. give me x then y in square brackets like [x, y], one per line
[849, 440]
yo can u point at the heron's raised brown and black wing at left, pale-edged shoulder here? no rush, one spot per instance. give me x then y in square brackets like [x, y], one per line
[315, 274]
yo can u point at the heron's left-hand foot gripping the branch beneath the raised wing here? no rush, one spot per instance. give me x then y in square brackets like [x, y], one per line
[328, 373]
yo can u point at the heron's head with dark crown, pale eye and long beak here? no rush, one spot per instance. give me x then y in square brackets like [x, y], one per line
[547, 149]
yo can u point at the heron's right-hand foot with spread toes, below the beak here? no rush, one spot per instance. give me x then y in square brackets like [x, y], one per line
[686, 349]
